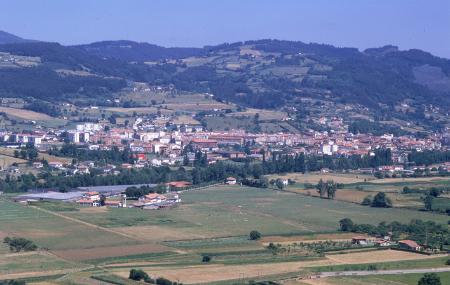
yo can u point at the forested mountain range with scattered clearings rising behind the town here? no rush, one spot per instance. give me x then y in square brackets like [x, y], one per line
[262, 73]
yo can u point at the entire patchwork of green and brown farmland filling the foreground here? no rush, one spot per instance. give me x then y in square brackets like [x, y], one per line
[171, 242]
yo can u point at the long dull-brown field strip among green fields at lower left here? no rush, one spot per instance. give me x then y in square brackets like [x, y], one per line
[109, 251]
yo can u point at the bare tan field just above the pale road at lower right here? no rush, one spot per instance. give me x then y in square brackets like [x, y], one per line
[376, 256]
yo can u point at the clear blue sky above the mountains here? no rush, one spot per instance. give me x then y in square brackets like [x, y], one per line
[422, 24]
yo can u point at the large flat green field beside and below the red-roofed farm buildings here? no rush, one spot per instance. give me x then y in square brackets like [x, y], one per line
[234, 211]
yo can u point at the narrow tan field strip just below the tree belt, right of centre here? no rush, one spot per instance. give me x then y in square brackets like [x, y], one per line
[313, 178]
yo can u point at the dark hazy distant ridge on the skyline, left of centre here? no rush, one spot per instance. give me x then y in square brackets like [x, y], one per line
[133, 51]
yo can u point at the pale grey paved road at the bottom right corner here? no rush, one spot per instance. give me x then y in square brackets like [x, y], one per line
[380, 272]
